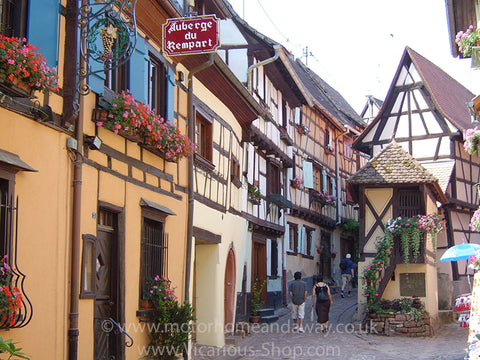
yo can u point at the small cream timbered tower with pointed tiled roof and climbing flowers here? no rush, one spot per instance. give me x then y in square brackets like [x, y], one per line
[393, 184]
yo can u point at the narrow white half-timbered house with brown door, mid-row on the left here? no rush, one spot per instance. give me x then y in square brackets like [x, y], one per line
[265, 68]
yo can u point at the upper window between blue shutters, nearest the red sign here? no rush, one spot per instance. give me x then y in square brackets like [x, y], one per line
[157, 86]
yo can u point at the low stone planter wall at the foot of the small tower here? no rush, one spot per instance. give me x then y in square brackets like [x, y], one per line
[395, 324]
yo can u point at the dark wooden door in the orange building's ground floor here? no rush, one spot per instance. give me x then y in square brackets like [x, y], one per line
[106, 335]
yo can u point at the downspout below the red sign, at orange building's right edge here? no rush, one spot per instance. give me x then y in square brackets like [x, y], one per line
[191, 134]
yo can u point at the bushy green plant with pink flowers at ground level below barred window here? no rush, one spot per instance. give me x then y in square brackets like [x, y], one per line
[172, 323]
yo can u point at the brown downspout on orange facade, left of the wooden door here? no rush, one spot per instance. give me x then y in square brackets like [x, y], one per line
[73, 331]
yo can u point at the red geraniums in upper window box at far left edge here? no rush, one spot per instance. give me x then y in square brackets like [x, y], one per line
[23, 68]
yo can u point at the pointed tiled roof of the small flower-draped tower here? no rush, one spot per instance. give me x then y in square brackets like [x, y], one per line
[392, 165]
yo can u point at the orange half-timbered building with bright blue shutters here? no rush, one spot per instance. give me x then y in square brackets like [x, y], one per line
[98, 211]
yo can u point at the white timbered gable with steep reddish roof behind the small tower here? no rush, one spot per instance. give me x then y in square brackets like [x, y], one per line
[412, 112]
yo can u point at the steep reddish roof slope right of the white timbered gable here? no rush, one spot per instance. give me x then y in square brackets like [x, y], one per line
[449, 95]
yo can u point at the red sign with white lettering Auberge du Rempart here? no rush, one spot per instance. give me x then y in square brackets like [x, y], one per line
[193, 35]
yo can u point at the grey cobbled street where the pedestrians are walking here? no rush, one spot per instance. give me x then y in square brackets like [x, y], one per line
[343, 341]
